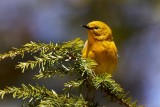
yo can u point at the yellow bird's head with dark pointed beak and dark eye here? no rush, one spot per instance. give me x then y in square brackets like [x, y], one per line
[99, 30]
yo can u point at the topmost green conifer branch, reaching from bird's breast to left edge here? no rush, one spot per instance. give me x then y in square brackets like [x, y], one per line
[34, 47]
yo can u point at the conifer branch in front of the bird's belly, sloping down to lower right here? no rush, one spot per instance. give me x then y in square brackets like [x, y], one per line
[103, 82]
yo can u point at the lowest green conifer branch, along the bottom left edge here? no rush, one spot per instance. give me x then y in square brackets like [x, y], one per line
[42, 97]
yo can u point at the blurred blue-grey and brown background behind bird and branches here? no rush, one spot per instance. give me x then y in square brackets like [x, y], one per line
[135, 25]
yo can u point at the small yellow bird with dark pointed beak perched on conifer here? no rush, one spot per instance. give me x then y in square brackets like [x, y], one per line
[100, 47]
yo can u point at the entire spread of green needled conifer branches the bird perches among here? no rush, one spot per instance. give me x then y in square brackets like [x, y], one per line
[62, 59]
